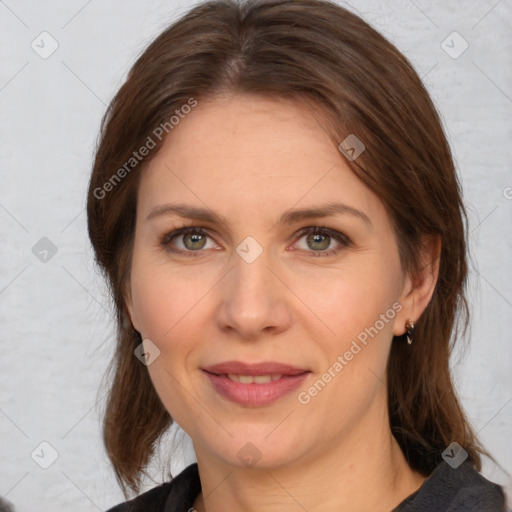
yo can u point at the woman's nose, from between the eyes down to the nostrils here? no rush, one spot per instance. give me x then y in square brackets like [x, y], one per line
[254, 302]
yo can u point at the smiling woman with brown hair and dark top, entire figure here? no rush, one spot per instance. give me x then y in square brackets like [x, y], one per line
[275, 206]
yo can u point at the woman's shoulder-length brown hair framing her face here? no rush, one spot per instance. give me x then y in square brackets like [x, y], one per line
[329, 61]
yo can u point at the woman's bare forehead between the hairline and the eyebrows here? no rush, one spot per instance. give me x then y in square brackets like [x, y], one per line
[247, 154]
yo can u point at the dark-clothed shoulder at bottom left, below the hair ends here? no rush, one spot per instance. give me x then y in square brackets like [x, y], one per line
[174, 496]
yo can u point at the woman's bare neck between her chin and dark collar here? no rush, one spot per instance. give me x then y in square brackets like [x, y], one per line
[364, 472]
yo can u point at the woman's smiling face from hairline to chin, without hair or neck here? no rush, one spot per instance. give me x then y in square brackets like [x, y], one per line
[240, 269]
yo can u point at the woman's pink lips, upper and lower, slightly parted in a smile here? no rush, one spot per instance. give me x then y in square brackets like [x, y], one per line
[253, 394]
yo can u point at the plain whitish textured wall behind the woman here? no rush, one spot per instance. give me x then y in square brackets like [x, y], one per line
[55, 327]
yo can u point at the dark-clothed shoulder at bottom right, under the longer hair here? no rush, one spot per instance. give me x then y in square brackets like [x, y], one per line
[460, 489]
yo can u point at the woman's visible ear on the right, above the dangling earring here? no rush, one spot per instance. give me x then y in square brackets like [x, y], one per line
[419, 286]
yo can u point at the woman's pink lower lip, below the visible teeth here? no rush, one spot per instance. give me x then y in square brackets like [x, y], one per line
[255, 395]
